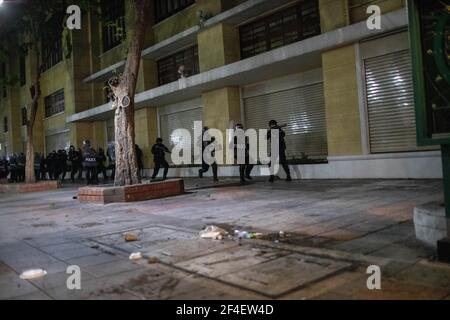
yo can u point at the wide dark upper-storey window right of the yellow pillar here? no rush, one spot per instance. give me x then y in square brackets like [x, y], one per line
[282, 28]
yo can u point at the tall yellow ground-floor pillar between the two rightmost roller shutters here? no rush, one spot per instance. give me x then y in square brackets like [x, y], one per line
[341, 102]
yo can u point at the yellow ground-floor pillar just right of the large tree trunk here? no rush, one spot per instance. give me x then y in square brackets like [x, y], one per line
[146, 129]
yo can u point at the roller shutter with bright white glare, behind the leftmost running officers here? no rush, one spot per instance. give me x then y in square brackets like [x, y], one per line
[179, 120]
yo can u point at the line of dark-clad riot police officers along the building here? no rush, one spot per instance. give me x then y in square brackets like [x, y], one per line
[86, 159]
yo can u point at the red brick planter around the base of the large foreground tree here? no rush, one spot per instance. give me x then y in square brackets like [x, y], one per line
[133, 193]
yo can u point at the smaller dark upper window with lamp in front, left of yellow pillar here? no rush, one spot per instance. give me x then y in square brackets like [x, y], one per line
[168, 67]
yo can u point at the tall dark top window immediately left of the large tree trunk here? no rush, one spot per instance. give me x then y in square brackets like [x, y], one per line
[113, 26]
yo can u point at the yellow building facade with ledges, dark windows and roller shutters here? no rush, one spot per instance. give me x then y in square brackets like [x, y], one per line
[345, 91]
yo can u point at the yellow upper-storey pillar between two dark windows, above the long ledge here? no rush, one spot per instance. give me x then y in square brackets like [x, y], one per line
[218, 46]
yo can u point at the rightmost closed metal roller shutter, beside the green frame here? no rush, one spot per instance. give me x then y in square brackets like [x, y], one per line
[390, 103]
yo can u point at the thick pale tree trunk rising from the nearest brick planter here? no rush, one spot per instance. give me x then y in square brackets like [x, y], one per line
[124, 89]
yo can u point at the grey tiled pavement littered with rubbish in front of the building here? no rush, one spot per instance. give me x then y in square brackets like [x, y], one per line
[333, 231]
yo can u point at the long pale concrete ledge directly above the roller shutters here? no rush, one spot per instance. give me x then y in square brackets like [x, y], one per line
[300, 56]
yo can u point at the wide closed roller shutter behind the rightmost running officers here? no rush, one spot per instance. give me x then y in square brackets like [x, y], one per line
[302, 109]
